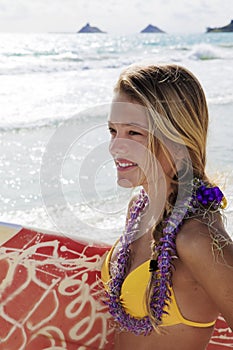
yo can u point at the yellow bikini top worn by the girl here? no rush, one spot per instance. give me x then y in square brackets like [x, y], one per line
[133, 295]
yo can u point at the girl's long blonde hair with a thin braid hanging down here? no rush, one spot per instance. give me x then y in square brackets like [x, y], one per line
[174, 100]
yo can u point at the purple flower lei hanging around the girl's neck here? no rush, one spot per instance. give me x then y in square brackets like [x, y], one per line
[202, 196]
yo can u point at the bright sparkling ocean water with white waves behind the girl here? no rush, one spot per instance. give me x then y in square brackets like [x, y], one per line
[55, 169]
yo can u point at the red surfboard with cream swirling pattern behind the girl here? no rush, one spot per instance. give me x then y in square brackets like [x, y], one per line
[51, 294]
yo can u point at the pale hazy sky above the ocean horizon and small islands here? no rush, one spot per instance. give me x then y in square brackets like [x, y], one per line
[114, 16]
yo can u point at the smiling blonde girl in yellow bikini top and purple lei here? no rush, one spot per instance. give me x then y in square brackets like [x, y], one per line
[171, 273]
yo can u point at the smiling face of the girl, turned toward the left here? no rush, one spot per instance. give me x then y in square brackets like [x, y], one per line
[128, 126]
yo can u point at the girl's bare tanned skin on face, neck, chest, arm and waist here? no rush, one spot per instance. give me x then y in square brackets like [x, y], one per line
[203, 277]
